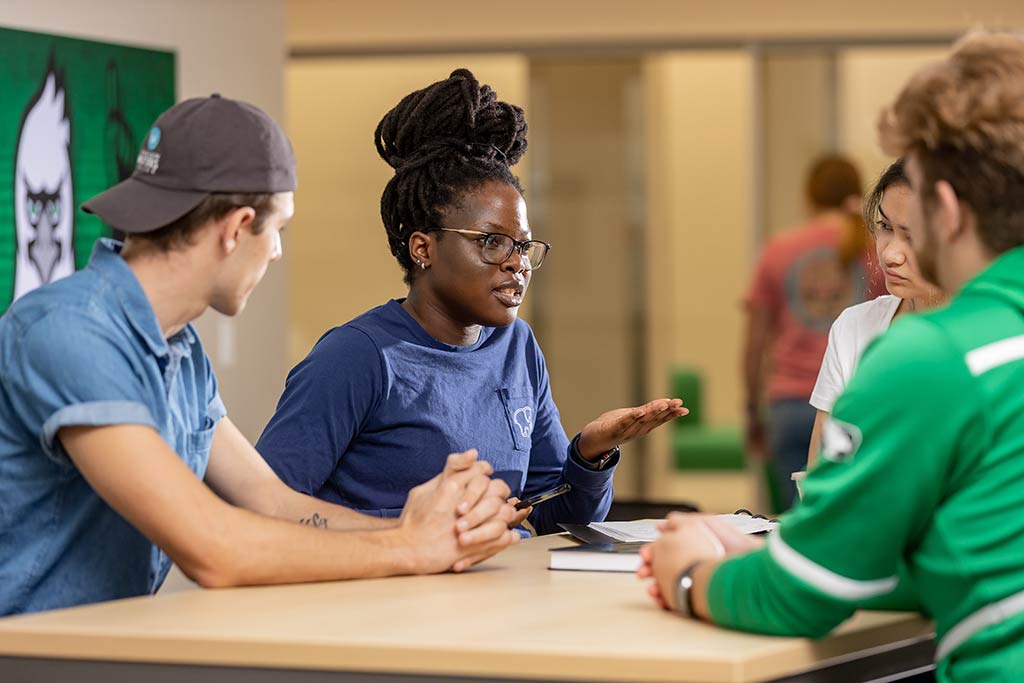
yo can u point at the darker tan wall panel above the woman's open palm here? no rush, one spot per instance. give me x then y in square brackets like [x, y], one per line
[585, 179]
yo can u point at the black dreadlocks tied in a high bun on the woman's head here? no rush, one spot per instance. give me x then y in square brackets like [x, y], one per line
[444, 141]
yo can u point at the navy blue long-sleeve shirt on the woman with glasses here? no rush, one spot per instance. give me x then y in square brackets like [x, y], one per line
[379, 404]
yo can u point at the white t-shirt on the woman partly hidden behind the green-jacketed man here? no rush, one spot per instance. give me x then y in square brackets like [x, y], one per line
[851, 333]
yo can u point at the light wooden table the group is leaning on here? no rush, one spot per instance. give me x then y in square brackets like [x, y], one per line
[510, 619]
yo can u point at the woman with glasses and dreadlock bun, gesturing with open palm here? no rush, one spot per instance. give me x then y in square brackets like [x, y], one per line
[379, 402]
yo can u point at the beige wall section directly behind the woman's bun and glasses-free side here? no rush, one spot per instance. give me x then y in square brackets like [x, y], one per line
[336, 239]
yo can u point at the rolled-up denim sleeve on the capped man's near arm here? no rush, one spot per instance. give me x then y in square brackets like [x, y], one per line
[72, 371]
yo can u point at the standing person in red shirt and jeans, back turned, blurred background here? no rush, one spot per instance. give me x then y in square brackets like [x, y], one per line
[803, 281]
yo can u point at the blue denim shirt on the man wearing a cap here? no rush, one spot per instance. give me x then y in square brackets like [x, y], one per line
[89, 351]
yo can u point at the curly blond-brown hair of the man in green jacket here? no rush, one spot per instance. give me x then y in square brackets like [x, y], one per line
[964, 120]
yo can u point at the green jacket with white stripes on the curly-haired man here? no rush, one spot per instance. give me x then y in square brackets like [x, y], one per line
[918, 502]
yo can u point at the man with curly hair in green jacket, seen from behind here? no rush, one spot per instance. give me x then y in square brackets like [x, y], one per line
[917, 497]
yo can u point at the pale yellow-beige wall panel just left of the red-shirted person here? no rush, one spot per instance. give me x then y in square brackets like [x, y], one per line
[700, 180]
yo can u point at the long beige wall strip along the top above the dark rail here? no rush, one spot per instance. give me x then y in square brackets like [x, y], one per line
[407, 25]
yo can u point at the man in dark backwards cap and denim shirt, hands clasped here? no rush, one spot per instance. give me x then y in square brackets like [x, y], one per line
[116, 454]
